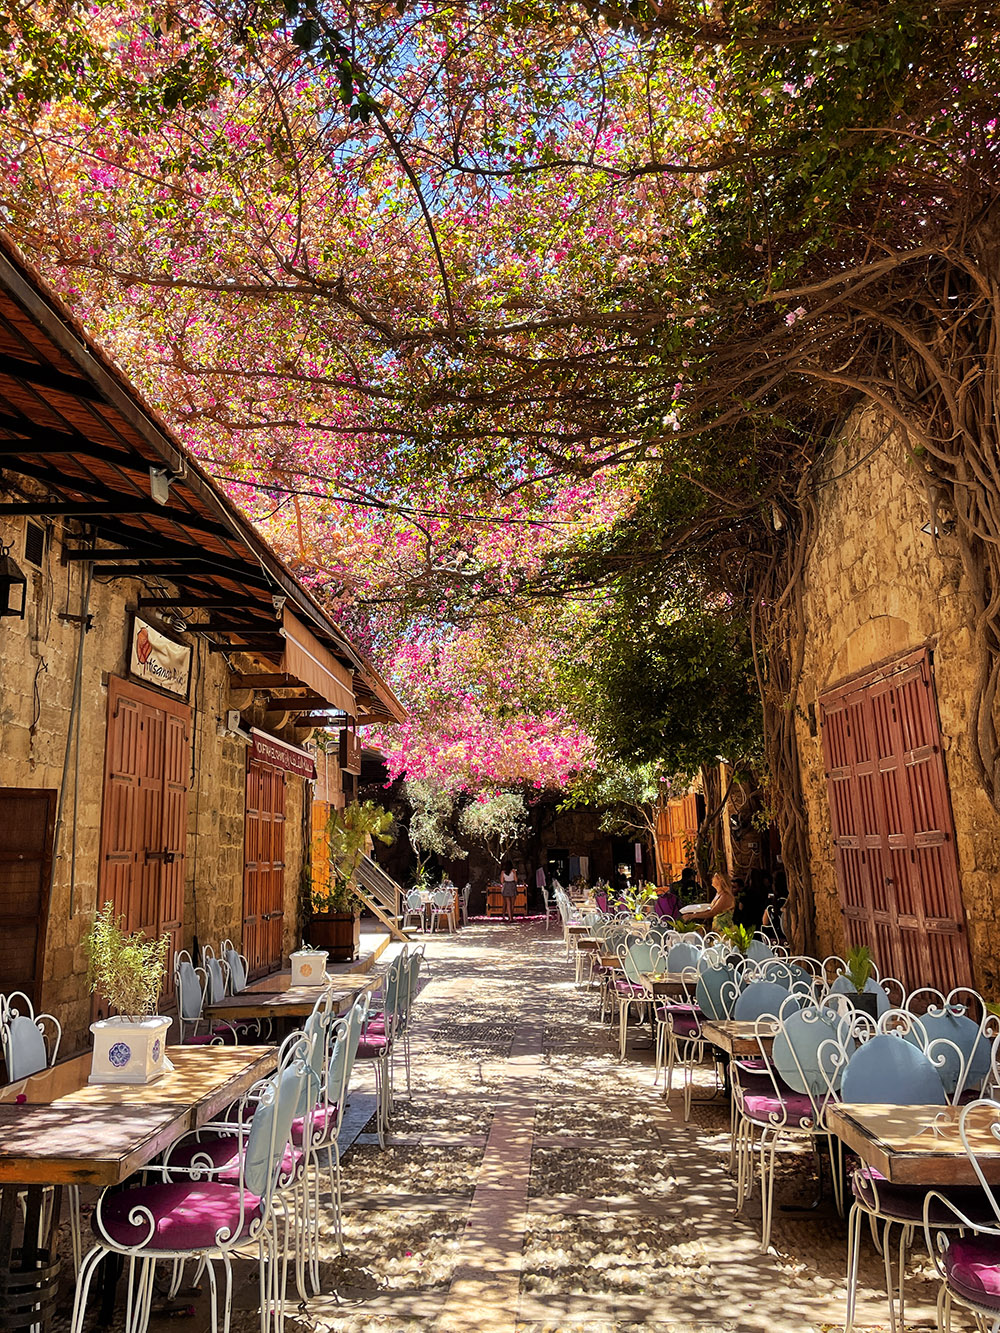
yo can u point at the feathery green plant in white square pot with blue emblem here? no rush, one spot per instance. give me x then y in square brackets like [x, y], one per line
[129, 971]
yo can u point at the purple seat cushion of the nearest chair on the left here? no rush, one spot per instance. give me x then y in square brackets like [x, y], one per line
[185, 1216]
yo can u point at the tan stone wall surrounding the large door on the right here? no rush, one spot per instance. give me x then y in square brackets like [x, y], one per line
[877, 586]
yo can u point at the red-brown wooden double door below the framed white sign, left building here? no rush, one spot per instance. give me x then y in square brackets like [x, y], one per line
[146, 812]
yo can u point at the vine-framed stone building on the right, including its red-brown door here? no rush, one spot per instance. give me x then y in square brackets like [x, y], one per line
[905, 843]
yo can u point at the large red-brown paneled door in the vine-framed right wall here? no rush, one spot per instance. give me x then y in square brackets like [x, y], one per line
[898, 871]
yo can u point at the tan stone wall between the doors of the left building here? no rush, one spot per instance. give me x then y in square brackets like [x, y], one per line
[38, 661]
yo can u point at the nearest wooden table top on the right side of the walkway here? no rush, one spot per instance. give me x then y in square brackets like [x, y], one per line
[918, 1146]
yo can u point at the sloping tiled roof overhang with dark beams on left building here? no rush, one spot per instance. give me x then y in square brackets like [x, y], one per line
[139, 506]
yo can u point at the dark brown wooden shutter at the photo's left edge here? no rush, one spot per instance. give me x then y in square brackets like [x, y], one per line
[27, 827]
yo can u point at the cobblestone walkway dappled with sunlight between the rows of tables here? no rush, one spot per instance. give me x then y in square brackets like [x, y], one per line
[535, 1186]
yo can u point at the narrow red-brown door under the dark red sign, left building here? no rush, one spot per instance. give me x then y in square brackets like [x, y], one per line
[265, 867]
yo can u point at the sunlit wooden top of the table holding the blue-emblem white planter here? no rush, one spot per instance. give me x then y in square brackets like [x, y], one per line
[57, 1128]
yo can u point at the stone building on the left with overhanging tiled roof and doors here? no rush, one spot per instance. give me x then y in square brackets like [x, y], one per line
[162, 674]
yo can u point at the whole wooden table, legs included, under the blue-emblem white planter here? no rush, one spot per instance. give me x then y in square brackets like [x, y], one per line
[58, 1130]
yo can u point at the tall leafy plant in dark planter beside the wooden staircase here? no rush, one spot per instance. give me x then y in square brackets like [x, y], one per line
[335, 910]
